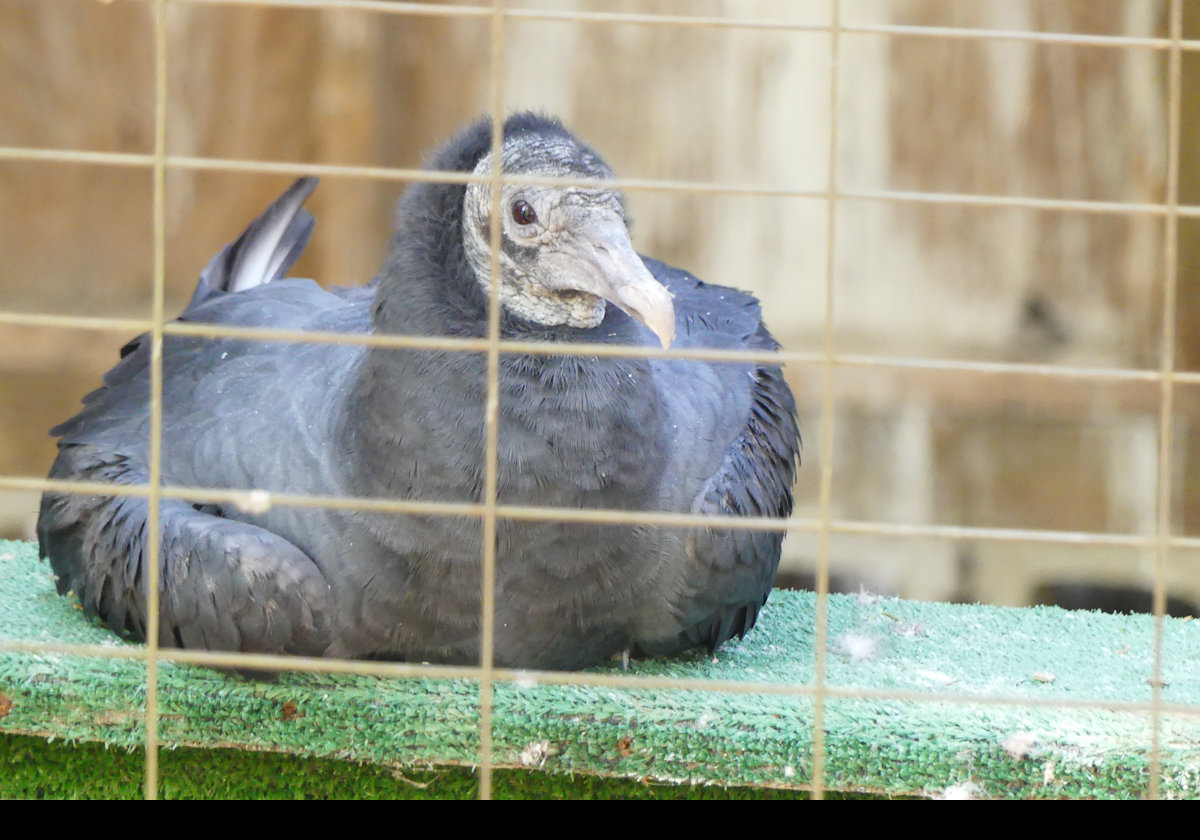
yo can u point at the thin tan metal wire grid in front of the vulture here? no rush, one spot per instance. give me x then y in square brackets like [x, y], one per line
[829, 361]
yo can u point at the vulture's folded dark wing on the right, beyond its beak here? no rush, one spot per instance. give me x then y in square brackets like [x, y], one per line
[731, 571]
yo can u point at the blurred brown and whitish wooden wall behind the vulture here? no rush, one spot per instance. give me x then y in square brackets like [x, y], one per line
[749, 107]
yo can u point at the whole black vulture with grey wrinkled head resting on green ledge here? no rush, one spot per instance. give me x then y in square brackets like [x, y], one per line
[590, 433]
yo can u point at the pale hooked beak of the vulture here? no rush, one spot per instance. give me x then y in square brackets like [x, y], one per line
[605, 265]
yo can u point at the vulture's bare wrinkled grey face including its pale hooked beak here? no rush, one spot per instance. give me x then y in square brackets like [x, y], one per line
[565, 251]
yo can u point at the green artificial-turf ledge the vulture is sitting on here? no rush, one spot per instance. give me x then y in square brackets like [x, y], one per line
[755, 743]
